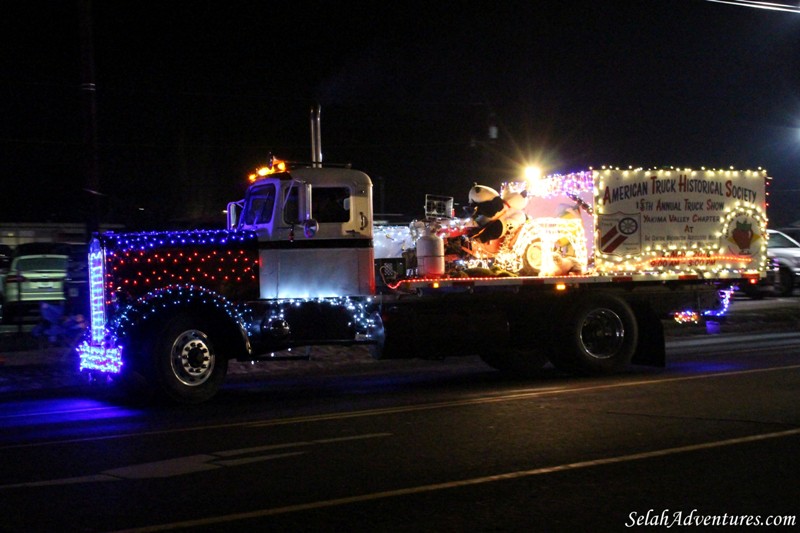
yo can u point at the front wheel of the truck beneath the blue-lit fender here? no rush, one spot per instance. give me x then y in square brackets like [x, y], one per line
[186, 364]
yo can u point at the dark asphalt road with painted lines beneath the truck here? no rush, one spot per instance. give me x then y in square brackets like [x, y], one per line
[424, 446]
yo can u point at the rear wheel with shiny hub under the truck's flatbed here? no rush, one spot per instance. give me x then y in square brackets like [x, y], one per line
[599, 335]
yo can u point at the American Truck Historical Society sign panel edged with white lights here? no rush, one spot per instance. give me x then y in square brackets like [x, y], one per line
[721, 221]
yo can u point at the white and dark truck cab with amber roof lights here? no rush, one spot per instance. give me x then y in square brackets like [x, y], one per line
[314, 228]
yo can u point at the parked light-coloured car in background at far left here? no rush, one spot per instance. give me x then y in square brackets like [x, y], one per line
[32, 278]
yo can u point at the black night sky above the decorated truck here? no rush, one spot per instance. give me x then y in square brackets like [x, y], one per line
[191, 96]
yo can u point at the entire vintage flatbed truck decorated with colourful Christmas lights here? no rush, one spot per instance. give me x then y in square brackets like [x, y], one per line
[576, 270]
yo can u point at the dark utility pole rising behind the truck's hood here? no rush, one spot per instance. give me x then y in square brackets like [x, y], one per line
[88, 96]
